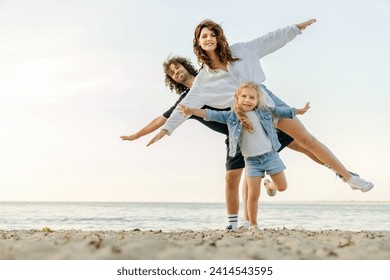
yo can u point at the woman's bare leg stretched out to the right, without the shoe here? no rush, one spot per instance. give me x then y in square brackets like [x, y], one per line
[296, 129]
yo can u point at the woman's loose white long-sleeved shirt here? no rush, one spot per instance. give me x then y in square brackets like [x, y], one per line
[216, 88]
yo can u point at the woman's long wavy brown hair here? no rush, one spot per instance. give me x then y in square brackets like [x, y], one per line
[223, 51]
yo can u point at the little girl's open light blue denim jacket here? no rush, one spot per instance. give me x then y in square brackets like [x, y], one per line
[235, 127]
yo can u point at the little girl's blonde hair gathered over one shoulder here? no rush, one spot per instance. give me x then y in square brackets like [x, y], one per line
[241, 114]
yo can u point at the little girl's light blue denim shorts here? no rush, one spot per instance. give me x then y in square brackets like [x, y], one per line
[269, 163]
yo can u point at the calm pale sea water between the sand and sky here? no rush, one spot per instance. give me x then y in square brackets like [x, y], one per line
[349, 216]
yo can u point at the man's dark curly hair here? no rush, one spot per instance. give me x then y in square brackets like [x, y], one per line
[175, 60]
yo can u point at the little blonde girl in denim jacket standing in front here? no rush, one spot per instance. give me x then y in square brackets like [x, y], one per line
[251, 128]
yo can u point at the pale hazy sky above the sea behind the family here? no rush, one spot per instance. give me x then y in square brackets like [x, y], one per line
[76, 75]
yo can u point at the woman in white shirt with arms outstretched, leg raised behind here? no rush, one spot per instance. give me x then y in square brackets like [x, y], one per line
[224, 67]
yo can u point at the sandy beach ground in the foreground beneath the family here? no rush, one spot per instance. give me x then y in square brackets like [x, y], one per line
[268, 244]
